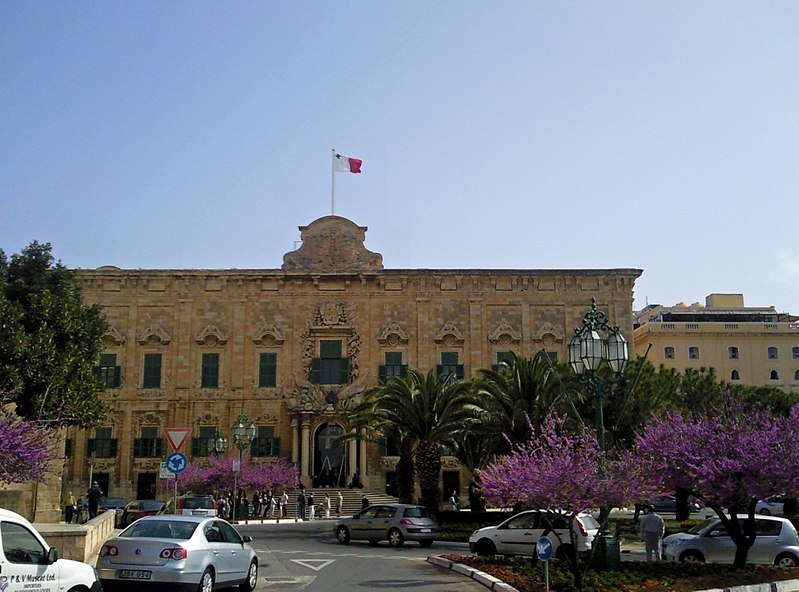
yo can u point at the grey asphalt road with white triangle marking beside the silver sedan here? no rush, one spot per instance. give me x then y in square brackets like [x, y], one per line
[306, 556]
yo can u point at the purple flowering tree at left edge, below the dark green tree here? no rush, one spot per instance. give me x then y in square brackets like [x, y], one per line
[26, 452]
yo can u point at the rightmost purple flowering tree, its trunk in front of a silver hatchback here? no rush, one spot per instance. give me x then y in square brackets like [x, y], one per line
[728, 460]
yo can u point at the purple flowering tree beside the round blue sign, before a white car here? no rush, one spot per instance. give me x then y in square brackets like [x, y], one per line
[563, 469]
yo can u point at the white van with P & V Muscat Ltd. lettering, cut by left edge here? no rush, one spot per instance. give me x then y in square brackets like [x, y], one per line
[27, 562]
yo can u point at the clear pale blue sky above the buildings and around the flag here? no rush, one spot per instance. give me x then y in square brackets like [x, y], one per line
[537, 135]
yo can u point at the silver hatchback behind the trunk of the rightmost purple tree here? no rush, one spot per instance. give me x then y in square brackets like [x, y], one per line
[708, 542]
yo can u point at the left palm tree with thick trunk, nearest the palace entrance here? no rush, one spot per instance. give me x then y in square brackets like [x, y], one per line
[426, 412]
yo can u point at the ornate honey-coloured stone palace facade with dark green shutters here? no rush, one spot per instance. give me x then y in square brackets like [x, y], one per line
[294, 348]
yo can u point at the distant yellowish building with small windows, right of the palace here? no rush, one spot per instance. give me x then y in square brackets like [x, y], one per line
[754, 346]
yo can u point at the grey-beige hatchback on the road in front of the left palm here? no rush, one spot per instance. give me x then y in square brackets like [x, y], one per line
[395, 523]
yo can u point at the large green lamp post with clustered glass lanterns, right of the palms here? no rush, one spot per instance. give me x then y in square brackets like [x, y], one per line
[596, 342]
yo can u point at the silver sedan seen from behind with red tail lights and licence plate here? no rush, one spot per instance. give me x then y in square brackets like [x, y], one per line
[193, 552]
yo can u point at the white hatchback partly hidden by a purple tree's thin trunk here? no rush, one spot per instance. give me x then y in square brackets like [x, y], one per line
[518, 534]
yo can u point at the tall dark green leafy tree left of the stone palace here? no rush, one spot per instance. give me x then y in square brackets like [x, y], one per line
[49, 342]
